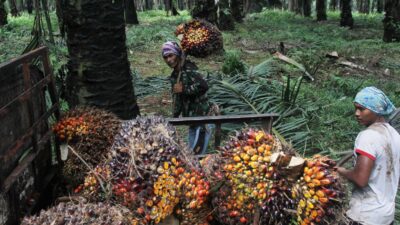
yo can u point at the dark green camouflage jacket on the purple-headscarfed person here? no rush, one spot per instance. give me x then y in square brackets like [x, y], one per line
[193, 100]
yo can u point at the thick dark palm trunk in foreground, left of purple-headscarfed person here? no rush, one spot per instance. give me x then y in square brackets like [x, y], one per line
[99, 72]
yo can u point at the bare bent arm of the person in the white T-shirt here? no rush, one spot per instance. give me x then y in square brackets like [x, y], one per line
[359, 175]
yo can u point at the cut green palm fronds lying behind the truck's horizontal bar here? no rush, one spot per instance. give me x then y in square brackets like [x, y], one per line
[239, 94]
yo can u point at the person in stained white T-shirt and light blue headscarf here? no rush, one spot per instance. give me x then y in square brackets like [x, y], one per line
[376, 171]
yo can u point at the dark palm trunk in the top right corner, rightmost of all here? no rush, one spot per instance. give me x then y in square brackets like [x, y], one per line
[391, 22]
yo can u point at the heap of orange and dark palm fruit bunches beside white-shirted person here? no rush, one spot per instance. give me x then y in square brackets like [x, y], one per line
[259, 182]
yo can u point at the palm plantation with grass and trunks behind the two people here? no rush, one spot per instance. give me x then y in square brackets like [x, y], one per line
[101, 57]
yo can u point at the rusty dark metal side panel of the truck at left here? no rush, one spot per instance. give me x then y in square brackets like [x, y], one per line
[26, 140]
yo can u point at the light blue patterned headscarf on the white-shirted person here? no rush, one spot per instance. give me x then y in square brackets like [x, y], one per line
[375, 100]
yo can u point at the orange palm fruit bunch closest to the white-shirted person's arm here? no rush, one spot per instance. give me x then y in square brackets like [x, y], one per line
[318, 191]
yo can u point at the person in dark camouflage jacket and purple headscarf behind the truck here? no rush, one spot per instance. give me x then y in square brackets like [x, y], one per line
[189, 94]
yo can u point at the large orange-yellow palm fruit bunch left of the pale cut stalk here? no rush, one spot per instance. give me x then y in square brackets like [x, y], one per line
[249, 175]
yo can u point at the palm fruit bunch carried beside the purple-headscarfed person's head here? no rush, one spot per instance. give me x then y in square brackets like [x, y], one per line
[199, 38]
